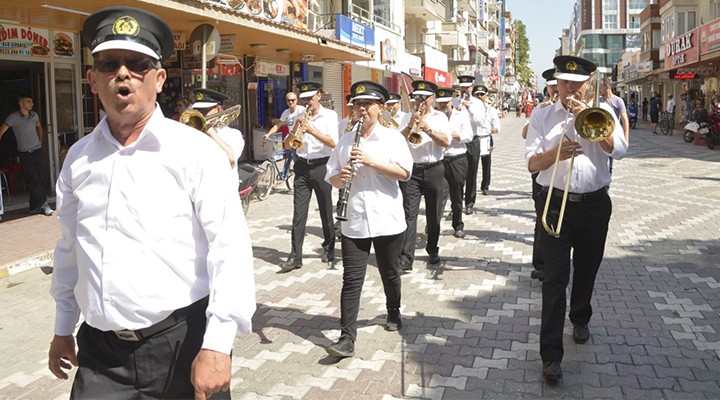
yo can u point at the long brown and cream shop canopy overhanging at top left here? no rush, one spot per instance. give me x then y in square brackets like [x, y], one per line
[265, 36]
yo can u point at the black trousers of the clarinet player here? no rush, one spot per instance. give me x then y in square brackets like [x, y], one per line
[355, 257]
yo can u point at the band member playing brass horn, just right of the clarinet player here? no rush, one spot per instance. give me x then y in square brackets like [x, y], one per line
[430, 128]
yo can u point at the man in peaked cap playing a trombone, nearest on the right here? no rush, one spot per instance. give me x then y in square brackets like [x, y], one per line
[558, 146]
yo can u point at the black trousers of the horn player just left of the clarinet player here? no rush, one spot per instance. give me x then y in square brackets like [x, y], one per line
[310, 178]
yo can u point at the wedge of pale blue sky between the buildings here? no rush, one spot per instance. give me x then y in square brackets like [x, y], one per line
[545, 20]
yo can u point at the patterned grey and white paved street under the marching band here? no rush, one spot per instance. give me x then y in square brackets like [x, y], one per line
[471, 326]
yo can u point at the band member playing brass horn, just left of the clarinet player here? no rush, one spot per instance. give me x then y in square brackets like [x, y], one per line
[318, 134]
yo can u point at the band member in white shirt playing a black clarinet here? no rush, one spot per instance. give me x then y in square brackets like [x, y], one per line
[375, 216]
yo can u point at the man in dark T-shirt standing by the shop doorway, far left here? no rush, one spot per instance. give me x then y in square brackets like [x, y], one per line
[28, 131]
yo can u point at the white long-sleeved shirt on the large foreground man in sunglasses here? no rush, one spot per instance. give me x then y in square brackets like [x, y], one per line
[148, 229]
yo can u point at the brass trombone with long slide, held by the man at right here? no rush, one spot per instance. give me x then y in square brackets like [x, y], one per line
[594, 124]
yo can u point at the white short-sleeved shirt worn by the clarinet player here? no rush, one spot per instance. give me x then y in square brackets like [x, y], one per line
[375, 206]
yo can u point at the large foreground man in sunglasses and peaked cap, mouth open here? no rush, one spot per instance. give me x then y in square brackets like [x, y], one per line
[155, 251]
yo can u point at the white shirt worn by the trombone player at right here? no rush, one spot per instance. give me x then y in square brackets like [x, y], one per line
[590, 170]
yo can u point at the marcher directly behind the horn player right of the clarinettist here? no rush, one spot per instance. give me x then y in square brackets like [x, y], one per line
[455, 159]
